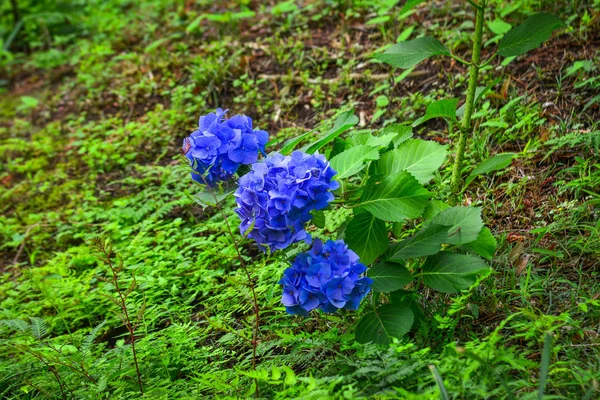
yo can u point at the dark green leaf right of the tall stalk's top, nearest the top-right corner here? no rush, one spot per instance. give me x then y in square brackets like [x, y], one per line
[529, 35]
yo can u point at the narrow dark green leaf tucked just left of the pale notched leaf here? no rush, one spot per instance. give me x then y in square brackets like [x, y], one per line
[426, 242]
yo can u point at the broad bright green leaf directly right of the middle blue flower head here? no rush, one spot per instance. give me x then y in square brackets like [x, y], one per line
[397, 197]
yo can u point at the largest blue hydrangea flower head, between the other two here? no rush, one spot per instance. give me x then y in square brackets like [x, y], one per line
[276, 197]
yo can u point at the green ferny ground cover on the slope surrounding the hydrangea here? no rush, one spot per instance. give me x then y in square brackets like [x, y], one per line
[95, 152]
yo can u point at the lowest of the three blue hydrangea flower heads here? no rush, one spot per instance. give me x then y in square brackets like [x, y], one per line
[329, 277]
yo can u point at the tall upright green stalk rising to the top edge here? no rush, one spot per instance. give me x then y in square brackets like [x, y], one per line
[465, 126]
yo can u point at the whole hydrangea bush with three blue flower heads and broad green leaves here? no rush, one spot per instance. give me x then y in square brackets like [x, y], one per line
[382, 176]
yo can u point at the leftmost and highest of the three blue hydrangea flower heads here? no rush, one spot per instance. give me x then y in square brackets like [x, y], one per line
[219, 146]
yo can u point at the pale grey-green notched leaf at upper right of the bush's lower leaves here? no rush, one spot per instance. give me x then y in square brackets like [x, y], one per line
[465, 222]
